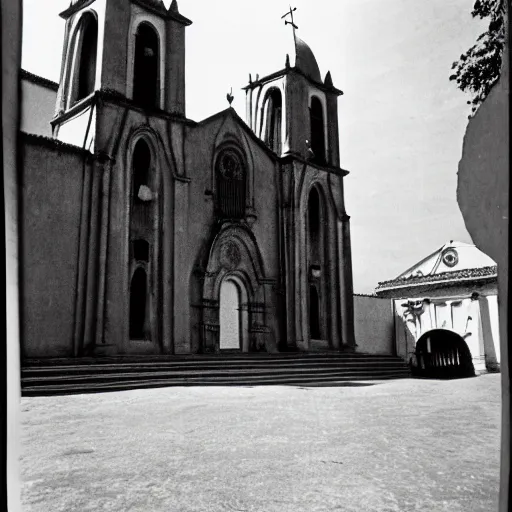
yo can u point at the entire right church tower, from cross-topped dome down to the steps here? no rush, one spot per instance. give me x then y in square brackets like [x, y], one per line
[294, 112]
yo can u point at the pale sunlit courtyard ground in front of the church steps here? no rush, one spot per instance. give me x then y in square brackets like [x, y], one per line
[405, 445]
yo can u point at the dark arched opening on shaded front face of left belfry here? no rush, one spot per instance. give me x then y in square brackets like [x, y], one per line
[145, 72]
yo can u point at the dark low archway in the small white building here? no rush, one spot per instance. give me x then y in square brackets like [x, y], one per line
[443, 354]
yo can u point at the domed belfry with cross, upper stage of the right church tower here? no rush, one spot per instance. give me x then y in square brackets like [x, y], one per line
[293, 111]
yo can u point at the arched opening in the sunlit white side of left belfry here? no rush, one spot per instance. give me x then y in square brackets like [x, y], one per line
[85, 47]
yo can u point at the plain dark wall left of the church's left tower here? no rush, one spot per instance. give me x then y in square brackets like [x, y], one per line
[51, 197]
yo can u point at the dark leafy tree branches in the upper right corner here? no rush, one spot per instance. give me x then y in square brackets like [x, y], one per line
[478, 69]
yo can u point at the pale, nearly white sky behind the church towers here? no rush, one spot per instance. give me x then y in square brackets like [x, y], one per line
[401, 120]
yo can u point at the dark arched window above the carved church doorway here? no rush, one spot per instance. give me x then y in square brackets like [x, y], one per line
[231, 185]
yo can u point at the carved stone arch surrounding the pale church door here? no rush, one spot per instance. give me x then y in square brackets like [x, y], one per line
[234, 254]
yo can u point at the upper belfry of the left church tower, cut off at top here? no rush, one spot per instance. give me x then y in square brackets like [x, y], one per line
[134, 49]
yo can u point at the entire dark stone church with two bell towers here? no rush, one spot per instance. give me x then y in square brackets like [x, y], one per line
[134, 218]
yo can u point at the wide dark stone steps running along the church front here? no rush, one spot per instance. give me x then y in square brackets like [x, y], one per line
[85, 375]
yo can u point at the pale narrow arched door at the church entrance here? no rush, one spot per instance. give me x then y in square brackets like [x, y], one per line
[230, 316]
